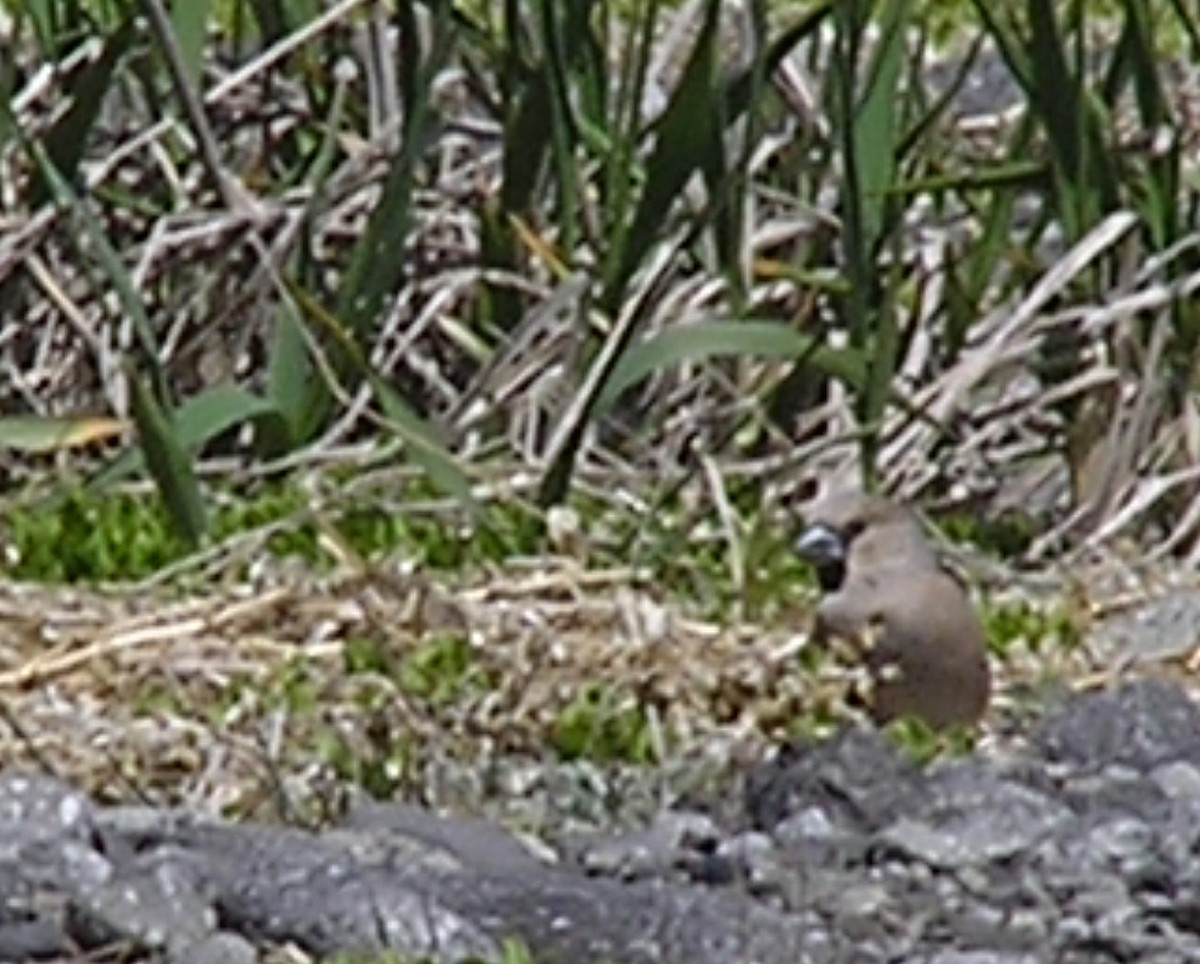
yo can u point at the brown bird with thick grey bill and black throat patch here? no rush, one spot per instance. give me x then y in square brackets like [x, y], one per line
[887, 595]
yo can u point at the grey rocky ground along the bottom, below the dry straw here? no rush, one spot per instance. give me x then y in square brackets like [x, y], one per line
[1079, 848]
